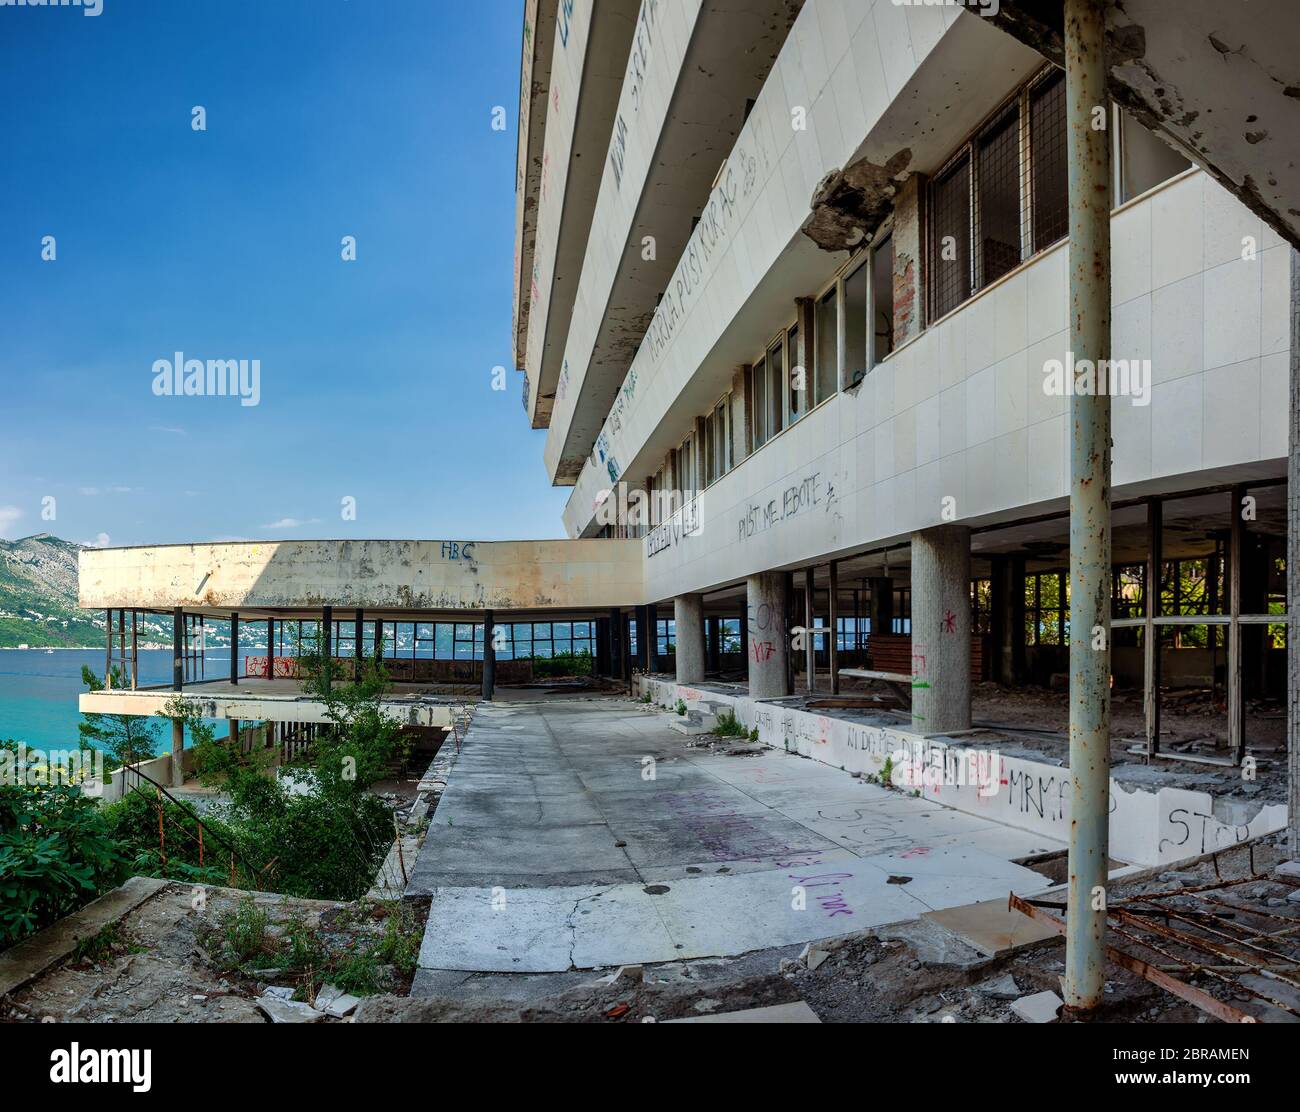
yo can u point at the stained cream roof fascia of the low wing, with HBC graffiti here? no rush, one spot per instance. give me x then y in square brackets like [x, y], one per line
[396, 576]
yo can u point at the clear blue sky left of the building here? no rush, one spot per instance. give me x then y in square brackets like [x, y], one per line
[324, 119]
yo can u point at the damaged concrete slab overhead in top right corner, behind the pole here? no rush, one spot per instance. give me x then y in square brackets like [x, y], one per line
[1220, 77]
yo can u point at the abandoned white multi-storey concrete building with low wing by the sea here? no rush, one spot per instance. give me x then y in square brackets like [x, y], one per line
[796, 304]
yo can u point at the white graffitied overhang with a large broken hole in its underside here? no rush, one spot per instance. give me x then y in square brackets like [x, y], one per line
[938, 102]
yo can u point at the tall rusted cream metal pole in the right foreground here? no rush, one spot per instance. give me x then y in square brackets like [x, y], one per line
[1090, 501]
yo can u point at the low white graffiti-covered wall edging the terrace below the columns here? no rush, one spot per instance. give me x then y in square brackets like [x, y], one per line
[1147, 827]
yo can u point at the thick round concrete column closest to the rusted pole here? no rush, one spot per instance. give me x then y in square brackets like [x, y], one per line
[942, 630]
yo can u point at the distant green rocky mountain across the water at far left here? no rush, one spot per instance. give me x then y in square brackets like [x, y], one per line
[38, 598]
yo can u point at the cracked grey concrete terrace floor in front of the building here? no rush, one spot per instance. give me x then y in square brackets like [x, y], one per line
[578, 834]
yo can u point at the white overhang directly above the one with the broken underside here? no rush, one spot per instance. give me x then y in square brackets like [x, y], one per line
[684, 102]
